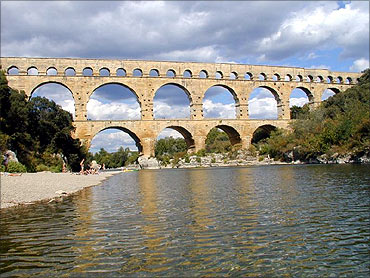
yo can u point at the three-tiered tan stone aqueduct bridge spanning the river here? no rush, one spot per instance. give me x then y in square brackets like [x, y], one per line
[193, 78]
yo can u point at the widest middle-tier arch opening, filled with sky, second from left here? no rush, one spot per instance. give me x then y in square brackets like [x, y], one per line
[113, 101]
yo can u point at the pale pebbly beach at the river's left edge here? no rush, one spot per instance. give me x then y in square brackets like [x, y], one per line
[31, 187]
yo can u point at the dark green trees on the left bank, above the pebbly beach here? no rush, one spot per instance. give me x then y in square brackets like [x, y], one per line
[36, 127]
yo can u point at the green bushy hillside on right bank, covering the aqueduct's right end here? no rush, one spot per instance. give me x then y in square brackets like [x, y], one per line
[341, 124]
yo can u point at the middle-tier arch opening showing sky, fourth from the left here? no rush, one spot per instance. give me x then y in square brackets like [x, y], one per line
[218, 104]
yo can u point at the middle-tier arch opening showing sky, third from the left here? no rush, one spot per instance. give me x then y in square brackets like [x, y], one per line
[169, 102]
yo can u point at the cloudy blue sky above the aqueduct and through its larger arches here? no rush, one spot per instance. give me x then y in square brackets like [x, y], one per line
[317, 34]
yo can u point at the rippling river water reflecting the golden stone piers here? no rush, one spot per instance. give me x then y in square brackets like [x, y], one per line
[267, 221]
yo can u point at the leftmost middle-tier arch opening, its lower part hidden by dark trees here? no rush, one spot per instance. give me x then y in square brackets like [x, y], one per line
[58, 92]
